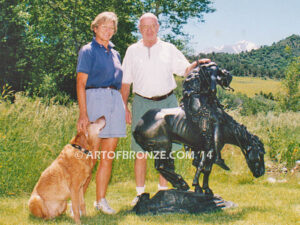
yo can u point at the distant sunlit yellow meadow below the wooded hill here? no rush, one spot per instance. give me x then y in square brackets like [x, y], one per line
[252, 85]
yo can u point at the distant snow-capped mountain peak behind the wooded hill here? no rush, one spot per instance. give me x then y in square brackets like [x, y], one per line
[241, 46]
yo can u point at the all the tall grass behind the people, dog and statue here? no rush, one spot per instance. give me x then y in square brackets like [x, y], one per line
[32, 134]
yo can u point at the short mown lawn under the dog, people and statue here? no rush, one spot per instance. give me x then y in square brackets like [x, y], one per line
[259, 202]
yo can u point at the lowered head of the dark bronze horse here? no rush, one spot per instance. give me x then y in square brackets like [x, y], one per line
[254, 155]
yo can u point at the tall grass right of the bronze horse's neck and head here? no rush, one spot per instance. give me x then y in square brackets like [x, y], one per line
[280, 132]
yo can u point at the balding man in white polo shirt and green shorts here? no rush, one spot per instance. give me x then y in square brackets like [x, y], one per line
[149, 65]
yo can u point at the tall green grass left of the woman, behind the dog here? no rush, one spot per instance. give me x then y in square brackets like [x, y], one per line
[31, 136]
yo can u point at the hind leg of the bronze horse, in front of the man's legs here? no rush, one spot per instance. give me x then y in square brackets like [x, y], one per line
[165, 165]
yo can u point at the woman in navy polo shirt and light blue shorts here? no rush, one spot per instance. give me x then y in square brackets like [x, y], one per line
[99, 77]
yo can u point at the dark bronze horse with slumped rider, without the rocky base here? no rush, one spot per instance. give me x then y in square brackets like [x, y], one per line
[200, 124]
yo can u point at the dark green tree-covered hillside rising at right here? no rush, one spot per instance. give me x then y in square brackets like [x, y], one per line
[267, 61]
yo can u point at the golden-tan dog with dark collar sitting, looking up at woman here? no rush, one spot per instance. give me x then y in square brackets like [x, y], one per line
[67, 177]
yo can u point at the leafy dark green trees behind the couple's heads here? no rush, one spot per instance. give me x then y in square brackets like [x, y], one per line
[40, 39]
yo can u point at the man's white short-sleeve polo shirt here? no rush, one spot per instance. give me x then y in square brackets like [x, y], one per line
[150, 70]
